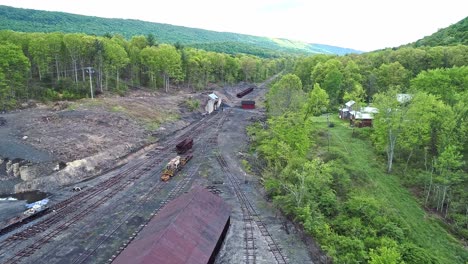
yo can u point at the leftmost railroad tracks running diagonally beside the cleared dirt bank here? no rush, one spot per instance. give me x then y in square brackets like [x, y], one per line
[75, 208]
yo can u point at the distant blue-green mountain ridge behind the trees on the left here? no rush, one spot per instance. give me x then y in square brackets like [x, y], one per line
[29, 20]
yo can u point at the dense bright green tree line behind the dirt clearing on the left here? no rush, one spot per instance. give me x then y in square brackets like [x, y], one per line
[65, 66]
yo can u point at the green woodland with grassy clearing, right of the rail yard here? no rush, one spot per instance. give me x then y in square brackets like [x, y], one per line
[392, 193]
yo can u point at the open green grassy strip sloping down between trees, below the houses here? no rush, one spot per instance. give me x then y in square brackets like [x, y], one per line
[422, 229]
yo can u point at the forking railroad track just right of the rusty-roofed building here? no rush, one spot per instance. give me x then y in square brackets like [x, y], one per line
[250, 219]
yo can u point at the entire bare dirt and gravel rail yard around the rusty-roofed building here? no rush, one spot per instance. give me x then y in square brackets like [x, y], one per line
[96, 224]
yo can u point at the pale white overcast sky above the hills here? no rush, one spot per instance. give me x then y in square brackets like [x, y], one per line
[364, 25]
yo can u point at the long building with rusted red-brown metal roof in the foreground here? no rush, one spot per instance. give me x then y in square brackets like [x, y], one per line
[190, 229]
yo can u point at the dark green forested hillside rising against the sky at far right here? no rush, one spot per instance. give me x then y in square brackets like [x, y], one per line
[452, 35]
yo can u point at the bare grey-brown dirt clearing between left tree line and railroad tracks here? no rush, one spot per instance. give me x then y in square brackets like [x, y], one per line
[50, 146]
